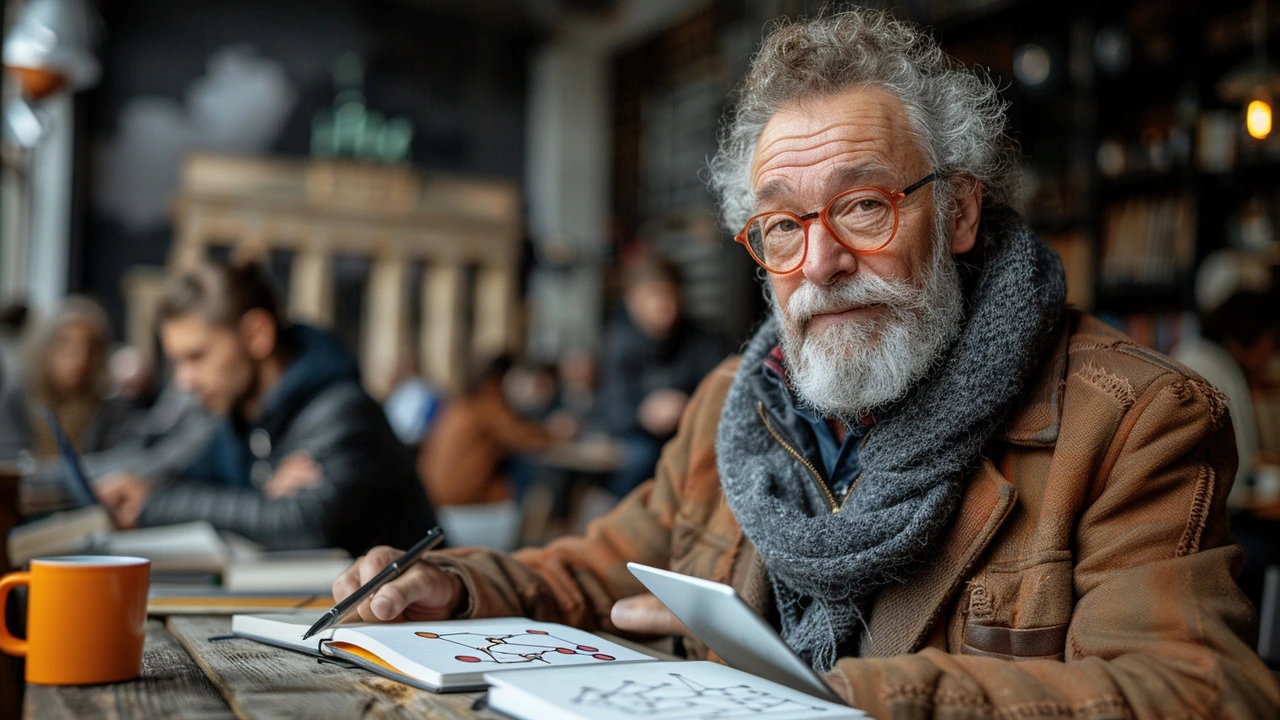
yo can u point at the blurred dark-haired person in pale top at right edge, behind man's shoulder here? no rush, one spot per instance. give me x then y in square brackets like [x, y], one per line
[1236, 343]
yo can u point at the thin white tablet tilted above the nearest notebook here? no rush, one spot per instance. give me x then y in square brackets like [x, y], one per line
[729, 626]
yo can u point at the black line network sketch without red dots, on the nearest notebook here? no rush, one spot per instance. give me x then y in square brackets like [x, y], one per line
[684, 698]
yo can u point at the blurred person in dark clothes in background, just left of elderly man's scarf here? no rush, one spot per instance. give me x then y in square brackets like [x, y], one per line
[653, 361]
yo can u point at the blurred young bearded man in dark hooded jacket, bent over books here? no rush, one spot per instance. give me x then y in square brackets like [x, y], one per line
[303, 458]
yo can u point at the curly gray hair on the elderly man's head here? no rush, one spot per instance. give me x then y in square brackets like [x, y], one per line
[958, 116]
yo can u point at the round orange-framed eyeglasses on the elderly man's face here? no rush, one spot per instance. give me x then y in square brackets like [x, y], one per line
[863, 220]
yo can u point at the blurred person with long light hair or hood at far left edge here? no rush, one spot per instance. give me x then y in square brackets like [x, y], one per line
[65, 368]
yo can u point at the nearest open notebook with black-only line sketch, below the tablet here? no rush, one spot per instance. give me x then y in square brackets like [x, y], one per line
[657, 691]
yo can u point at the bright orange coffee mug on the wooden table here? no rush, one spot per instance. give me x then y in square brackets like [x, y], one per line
[86, 619]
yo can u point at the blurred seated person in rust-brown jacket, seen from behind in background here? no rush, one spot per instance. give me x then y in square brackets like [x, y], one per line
[465, 458]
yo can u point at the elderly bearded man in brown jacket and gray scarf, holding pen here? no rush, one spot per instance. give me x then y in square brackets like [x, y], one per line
[945, 490]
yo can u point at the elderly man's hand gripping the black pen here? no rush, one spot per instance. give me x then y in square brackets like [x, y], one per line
[420, 594]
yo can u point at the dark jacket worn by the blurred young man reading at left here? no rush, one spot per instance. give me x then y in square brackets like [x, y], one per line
[369, 491]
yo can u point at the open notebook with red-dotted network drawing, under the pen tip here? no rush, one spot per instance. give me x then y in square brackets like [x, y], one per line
[446, 657]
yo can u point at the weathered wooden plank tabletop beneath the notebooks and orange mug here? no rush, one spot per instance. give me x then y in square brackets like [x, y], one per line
[186, 675]
